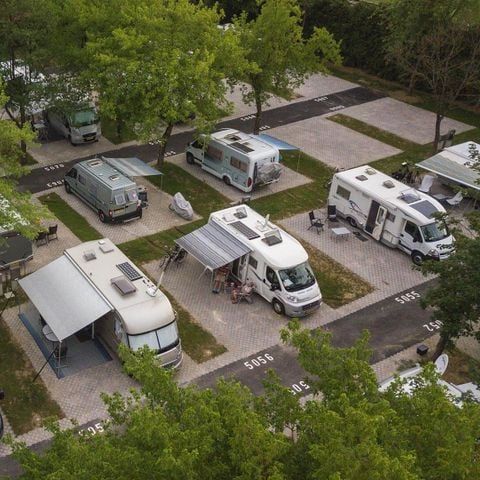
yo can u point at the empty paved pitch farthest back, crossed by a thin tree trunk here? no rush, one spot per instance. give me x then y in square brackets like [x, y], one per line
[402, 119]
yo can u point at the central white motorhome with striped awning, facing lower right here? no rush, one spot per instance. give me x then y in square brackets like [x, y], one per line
[277, 264]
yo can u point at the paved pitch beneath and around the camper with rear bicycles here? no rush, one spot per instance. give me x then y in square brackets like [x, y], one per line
[288, 179]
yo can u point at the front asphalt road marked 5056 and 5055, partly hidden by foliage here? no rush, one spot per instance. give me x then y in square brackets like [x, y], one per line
[394, 324]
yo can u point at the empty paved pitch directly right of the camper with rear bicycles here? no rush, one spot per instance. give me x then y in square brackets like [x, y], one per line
[332, 143]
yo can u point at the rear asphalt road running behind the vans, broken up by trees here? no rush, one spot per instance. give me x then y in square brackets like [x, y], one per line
[51, 176]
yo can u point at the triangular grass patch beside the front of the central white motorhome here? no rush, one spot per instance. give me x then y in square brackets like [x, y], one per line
[338, 285]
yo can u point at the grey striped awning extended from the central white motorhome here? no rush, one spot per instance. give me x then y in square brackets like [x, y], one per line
[212, 246]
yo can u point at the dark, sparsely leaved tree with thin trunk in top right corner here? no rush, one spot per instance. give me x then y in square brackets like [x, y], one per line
[437, 44]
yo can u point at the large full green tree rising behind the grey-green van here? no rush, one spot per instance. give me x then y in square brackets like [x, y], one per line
[162, 62]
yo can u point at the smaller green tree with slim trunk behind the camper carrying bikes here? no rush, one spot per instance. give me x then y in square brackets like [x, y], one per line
[279, 57]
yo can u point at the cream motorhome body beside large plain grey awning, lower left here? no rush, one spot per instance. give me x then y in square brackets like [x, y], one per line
[140, 313]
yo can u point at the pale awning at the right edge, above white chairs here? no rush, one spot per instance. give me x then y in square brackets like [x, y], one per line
[454, 163]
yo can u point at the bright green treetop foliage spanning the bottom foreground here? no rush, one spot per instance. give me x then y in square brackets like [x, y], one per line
[347, 431]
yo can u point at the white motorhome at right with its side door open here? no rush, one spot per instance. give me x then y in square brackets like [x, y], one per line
[391, 212]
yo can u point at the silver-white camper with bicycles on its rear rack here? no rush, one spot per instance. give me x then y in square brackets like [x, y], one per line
[239, 159]
